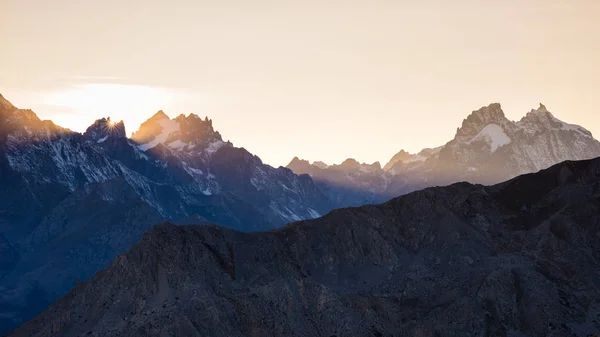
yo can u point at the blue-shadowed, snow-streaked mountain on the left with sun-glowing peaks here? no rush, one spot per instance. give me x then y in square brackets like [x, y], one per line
[71, 202]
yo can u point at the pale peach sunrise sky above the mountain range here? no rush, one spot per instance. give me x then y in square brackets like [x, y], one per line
[322, 80]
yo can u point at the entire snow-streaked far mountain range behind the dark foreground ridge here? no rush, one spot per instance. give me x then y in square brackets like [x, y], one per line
[71, 202]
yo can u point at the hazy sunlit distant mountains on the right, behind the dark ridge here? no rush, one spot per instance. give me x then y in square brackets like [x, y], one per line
[487, 148]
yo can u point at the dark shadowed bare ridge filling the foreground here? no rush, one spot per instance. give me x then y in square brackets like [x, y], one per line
[521, 258]
